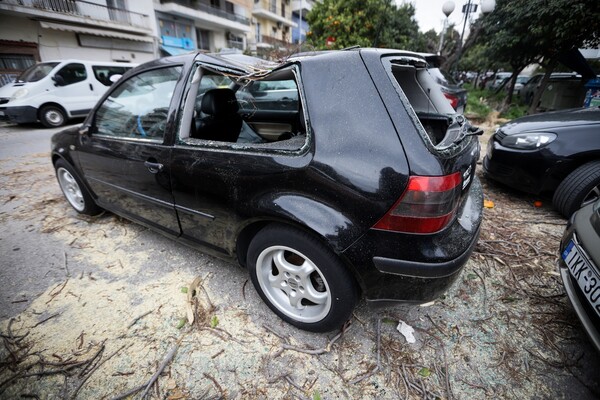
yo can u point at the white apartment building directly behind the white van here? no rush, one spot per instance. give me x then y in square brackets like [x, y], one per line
[40, 30]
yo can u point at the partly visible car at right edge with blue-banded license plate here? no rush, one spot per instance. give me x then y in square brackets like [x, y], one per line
[580, 267]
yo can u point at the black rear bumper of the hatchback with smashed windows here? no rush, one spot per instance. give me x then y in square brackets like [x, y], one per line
[417, 268]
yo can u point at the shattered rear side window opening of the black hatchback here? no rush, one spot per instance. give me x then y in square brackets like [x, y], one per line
[243, 114]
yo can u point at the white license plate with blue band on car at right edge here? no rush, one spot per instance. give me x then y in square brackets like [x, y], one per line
[586, 276]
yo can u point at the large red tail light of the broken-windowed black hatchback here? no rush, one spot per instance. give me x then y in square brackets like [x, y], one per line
[427, 205]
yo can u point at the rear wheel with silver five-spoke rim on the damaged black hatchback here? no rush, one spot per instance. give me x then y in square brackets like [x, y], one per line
[301, 279]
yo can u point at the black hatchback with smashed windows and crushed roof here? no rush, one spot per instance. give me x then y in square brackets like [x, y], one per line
[365, 186]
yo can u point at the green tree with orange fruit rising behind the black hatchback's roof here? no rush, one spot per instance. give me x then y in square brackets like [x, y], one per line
[337, 24]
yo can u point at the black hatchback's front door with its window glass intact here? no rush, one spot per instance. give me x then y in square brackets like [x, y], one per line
[123, 154]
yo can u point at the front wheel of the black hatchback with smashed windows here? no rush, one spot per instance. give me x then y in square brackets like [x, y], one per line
[74, 190]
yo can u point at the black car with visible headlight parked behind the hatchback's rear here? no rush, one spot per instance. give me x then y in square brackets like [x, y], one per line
[551, 152]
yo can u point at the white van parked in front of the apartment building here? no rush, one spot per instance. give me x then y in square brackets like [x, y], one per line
[54, 91]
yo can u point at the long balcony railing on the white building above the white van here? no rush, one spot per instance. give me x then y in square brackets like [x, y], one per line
[85, 9]
